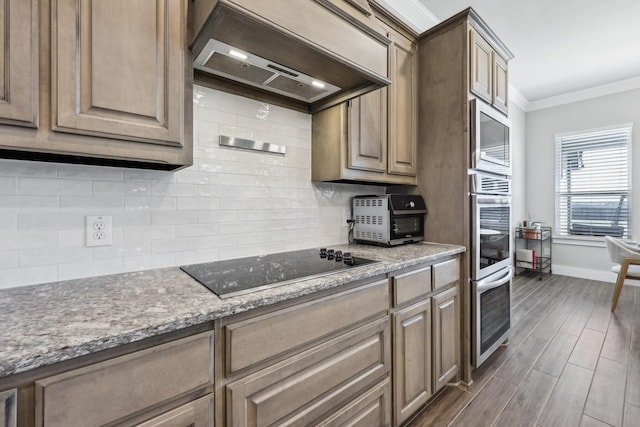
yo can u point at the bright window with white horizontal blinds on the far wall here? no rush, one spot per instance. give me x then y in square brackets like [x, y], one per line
[593, 183]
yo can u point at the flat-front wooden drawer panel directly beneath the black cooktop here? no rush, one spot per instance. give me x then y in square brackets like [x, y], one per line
[263, 337]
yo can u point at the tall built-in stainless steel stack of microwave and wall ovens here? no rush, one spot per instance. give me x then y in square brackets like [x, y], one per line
[491, 237]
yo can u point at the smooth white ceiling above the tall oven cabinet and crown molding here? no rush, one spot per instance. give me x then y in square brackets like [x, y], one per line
[560, 46]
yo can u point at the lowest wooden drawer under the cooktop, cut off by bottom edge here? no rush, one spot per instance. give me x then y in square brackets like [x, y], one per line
[370, 409]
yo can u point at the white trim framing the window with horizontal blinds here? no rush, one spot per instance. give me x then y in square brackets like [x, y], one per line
[578, 240]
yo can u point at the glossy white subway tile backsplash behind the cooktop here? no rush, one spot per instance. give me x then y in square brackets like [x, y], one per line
[230, 203]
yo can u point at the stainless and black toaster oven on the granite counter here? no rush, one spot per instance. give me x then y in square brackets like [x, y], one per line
[388, 219]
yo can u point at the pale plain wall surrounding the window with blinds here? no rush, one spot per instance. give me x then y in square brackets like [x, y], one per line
[541, 126]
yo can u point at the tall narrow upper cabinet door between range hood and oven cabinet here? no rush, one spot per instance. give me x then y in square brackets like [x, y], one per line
[403, 105]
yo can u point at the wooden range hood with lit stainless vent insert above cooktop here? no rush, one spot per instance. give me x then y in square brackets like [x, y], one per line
[316, 53]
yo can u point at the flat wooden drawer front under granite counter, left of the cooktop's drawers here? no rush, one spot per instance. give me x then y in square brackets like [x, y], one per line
[107, 391]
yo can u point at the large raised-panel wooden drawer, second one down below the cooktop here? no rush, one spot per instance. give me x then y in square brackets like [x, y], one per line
[316, 383]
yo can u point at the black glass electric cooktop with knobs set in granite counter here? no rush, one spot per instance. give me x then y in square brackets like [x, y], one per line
[234, 277]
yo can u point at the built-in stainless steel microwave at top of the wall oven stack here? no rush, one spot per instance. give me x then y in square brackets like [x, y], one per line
[490, 139]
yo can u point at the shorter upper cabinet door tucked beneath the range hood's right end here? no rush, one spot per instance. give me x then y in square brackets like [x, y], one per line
[367, 131]
